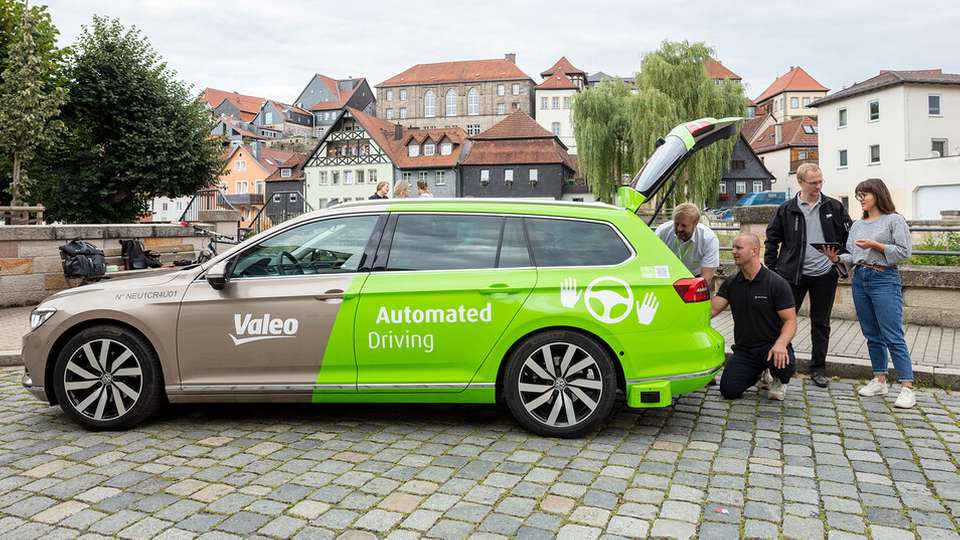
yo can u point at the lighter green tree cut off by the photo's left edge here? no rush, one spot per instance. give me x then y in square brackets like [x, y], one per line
[31, 90]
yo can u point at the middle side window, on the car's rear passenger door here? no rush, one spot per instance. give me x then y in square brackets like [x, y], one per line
[444, 242]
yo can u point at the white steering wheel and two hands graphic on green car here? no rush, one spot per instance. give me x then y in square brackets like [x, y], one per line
[609, 300]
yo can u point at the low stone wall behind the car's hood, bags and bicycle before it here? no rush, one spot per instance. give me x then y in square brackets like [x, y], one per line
[30, 264]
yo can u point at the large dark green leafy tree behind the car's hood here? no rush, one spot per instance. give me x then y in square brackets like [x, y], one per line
[132, 132]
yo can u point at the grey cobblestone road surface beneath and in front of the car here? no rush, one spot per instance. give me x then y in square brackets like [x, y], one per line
[821, 464]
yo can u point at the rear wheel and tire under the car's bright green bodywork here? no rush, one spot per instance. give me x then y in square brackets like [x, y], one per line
[568, 396]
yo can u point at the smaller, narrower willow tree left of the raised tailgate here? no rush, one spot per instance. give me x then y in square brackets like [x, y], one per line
[602, 128]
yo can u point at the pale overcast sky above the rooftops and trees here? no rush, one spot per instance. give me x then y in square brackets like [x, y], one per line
[270, 48]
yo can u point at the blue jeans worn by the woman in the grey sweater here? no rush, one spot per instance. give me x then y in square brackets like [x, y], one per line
[878, 297]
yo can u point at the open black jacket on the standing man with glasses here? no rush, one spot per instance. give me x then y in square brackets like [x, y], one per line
[787, 235]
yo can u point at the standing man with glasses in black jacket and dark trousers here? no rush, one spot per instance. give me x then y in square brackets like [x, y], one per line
[810, 217]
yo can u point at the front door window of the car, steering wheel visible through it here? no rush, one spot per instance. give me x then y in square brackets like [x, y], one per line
[329, 246]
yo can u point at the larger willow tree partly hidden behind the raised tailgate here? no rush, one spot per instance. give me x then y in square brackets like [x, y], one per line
[673, 87]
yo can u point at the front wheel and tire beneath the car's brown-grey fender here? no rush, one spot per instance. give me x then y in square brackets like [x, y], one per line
[116, 397]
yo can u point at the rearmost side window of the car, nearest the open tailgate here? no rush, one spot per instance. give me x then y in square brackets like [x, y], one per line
[564, 242]
